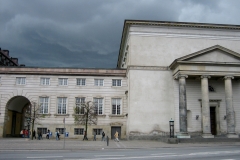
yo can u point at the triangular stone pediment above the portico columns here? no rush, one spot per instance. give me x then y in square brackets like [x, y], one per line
[213, 54]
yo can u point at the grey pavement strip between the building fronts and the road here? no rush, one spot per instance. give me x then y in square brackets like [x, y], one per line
[21, 144]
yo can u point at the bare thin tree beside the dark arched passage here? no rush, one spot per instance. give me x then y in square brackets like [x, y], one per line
[32, 115]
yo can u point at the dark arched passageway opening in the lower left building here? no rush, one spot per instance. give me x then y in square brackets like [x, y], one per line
[15, 120]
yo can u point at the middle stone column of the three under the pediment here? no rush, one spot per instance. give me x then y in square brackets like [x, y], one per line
[205, 108]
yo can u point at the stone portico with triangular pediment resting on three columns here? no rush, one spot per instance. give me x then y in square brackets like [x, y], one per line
[198, 66]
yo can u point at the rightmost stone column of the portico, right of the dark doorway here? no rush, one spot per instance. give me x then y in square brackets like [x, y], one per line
[229, 108]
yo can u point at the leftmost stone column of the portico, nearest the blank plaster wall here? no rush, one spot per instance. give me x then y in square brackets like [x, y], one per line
[182, 107]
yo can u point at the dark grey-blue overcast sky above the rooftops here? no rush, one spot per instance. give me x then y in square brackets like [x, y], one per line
[87, 33]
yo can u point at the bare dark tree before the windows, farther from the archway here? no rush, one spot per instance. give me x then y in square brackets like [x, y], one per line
[85, 114]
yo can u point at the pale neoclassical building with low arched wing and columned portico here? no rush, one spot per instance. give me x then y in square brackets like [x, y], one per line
[187, 72]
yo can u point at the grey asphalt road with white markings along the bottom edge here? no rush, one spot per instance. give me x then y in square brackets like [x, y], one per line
[184, 153]
